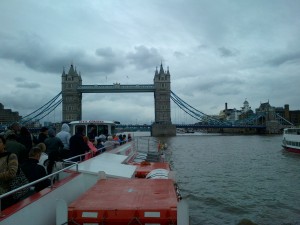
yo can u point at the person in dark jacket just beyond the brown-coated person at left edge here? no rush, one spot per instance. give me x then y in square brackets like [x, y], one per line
[13, 146]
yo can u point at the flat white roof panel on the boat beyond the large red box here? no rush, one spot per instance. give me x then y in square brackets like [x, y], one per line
[110, 163]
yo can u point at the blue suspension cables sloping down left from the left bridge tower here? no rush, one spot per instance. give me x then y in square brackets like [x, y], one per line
[43, 111]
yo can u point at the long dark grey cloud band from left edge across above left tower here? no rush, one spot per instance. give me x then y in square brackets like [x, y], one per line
[35, 54]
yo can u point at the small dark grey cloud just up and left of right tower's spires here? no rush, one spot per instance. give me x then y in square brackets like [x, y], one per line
[144, 58]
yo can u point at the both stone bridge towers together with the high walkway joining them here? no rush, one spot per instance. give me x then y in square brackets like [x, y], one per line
[72, 90]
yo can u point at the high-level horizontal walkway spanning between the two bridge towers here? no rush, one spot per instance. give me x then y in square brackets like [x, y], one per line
[116, 88]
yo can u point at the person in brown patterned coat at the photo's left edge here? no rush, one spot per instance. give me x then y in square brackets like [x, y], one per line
[8, 170]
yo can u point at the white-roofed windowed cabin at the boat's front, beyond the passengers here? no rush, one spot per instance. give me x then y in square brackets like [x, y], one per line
[97, 126]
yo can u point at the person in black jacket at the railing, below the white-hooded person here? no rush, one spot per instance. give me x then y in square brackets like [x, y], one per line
[33, 171]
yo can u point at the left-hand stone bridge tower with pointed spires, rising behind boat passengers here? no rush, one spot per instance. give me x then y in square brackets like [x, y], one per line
[71, 97]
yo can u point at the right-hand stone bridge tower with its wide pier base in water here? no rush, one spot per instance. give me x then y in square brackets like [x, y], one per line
[162, 106]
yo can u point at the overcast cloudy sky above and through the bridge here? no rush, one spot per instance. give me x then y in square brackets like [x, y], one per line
[217, 51]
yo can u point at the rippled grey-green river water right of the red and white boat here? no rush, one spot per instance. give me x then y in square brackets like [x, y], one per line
[230, 179]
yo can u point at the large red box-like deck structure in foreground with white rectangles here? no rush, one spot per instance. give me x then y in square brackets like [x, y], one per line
[120, 201]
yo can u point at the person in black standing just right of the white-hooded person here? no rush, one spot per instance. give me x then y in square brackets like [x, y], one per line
[77, 144]
